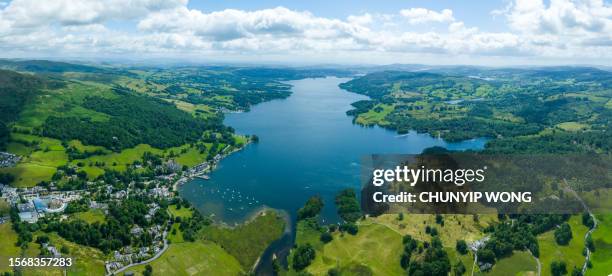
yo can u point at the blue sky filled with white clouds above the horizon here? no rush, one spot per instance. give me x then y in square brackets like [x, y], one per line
[492, 32]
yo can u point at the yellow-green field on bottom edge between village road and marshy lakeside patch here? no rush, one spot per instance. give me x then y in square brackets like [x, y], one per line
[194, 258]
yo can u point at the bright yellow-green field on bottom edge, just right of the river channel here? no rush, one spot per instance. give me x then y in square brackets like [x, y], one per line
[375, 247]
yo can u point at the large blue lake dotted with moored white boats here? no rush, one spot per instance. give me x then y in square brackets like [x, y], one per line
[308, 146]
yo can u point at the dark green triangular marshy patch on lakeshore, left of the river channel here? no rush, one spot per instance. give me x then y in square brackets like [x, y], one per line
[247, 241]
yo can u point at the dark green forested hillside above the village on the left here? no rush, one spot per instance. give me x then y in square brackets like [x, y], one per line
[134, 120]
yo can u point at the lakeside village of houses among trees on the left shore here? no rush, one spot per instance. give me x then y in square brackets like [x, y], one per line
[50, 203]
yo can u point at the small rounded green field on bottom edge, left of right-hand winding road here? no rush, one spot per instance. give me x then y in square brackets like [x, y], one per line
[520, 263]
